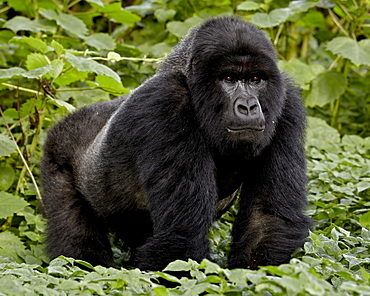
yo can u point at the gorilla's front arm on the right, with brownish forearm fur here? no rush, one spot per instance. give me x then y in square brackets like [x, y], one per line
[270, 224]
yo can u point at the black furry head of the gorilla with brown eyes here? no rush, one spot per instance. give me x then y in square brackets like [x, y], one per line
[231, 65]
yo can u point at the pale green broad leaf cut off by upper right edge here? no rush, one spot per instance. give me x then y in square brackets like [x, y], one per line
[350, 49]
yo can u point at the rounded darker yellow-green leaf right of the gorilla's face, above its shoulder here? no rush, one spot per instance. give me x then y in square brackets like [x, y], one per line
[326, 88]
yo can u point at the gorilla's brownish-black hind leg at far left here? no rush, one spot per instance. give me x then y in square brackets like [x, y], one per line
[73, 229]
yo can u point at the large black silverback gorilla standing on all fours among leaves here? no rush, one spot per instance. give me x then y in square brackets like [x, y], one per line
[159, 166]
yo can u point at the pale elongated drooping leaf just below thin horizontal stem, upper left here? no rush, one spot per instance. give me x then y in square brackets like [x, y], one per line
[87, 65]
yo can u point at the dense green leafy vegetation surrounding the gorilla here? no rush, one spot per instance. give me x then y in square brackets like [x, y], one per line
[59, 55]
